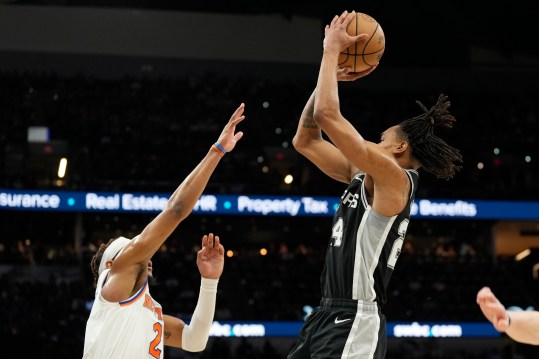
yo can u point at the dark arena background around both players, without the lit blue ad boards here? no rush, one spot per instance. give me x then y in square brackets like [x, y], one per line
[147, 125]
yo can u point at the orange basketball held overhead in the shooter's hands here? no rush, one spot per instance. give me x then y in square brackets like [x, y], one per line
[360, 56]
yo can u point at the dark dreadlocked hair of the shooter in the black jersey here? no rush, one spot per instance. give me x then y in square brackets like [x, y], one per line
[436, 156]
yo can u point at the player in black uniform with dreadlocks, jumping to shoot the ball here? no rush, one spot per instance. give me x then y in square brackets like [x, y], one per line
[371, 220]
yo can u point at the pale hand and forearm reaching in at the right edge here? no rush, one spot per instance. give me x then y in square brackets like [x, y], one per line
[520, 326]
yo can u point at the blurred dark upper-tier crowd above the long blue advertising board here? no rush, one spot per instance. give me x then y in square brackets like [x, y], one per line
[145, 133]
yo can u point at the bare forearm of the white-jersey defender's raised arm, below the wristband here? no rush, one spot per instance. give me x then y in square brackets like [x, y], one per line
[187, 194]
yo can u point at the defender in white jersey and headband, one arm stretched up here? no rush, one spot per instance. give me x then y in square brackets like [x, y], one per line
[125, 321]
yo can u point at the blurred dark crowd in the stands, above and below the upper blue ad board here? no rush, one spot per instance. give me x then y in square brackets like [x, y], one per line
[145, 134]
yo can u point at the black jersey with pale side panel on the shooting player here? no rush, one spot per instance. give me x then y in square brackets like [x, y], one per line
[364, 245]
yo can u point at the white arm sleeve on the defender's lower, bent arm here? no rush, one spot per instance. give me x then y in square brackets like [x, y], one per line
[195, 335]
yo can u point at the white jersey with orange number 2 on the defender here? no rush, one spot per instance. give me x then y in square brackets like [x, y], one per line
[131, 329]
